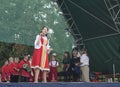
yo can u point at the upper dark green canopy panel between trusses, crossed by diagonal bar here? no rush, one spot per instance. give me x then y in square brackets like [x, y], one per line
[91, 17]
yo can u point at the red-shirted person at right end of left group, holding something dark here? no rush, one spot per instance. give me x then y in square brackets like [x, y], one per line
[24, 69]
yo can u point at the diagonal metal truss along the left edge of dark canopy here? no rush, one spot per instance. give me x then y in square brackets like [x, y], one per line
[78, 40]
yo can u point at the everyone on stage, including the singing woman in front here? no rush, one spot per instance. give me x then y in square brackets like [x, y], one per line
[38, 67]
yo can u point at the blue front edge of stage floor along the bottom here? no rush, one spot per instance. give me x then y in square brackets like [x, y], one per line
[60, 84]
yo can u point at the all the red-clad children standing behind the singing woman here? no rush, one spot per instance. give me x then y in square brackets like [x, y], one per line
[14, 70]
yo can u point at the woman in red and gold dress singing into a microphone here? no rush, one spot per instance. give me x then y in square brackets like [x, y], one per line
[40, 55]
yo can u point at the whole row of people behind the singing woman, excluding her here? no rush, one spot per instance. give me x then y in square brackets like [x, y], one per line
[73, 69]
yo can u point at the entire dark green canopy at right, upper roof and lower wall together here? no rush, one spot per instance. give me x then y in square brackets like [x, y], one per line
[99, 29]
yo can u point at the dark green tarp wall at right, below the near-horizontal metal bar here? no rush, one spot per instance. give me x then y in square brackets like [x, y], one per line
[103, 52]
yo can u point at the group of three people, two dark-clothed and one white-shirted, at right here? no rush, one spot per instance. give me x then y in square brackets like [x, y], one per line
[76, 68]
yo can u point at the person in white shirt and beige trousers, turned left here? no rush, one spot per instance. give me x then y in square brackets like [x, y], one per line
[84, 60]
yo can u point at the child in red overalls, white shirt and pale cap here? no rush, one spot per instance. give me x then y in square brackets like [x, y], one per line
[53, 77]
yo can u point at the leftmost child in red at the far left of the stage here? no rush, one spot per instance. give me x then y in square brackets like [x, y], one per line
[5, 73]
